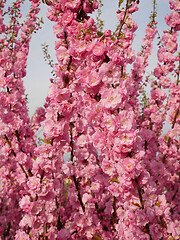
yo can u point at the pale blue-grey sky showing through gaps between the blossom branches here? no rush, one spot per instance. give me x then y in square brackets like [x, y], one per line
[39, 73]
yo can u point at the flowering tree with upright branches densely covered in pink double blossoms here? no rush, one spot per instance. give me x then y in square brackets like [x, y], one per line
[122, 180]
